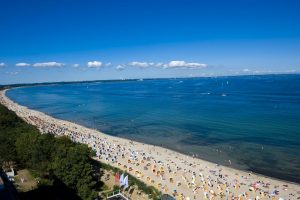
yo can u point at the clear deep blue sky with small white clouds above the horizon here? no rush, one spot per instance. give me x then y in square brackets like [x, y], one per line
[65, 40]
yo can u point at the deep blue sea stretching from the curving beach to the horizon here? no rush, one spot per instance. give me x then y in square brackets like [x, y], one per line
[252, 120]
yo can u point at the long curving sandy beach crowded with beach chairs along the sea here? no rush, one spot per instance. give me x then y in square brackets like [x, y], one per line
[179, 175]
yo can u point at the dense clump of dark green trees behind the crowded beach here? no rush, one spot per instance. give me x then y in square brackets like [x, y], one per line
[67, 161]
